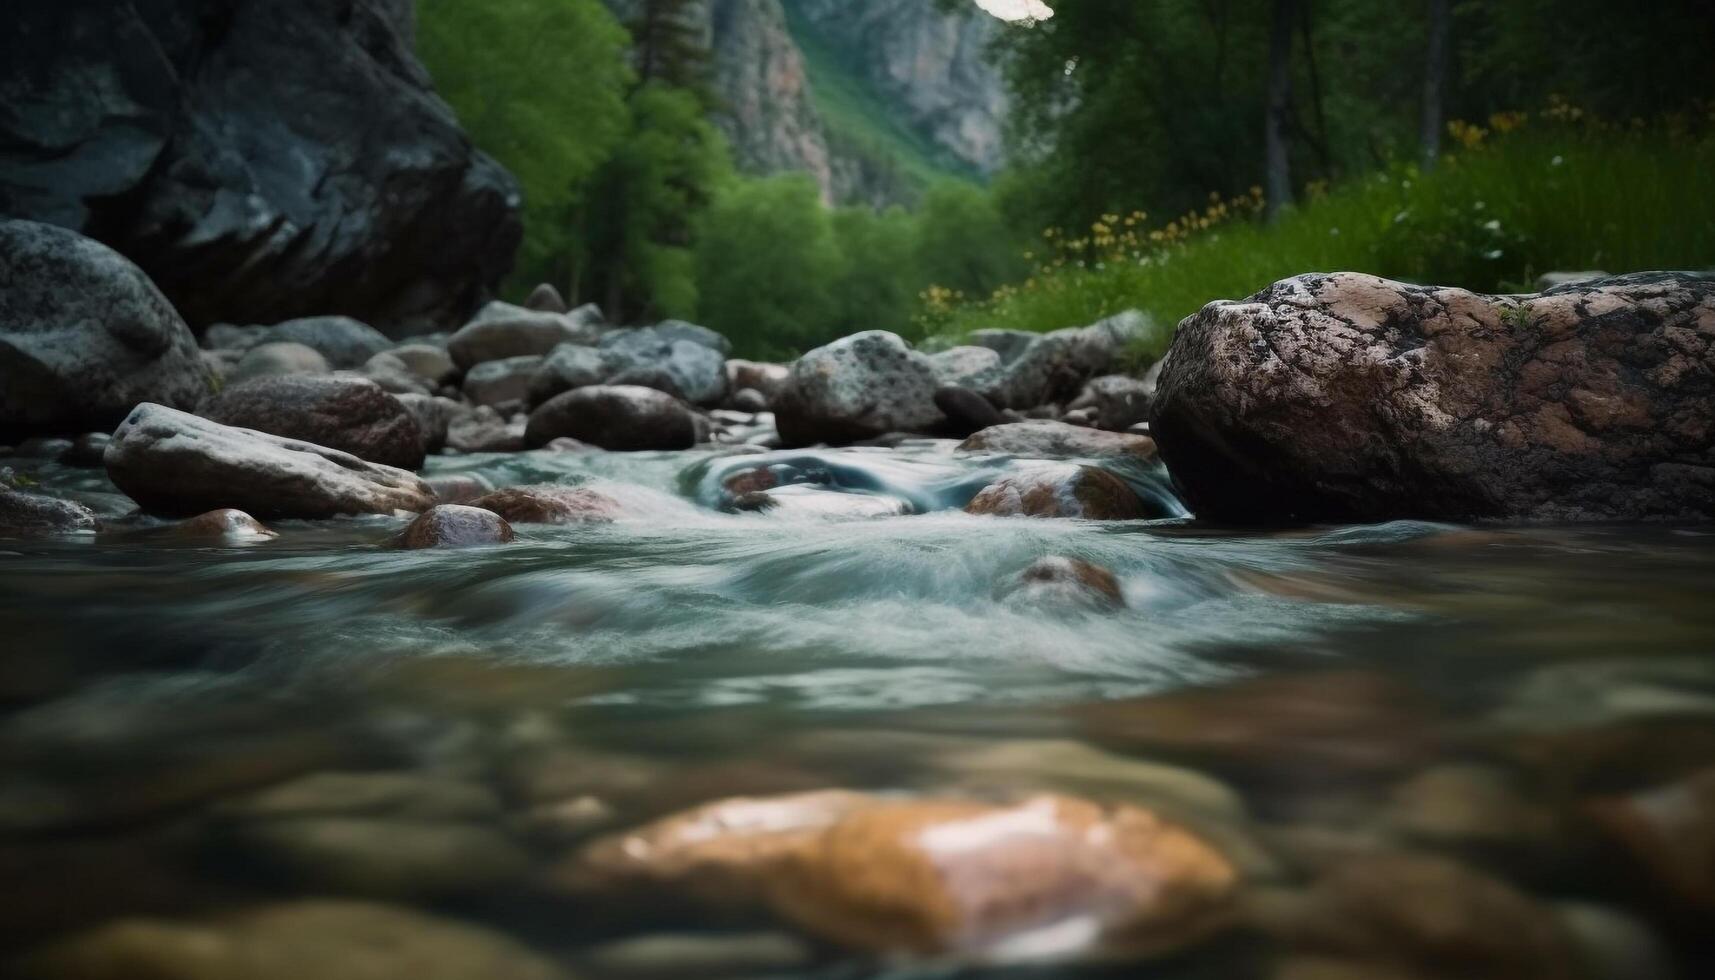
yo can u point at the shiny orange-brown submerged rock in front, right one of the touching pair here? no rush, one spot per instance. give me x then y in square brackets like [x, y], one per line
[1044, 880]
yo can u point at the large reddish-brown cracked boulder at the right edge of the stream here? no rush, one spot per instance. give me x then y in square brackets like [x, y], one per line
[1347, 397]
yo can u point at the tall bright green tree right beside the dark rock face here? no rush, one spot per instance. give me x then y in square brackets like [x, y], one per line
[503, 68]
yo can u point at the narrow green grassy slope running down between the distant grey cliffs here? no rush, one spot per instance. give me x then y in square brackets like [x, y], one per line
[858, 119]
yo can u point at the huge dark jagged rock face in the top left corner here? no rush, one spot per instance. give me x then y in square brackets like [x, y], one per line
[260, 160]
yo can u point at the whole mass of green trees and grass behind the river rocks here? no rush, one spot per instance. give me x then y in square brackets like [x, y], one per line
[1543, 135]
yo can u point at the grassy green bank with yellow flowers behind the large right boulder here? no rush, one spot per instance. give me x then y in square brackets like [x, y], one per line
[1489, 219]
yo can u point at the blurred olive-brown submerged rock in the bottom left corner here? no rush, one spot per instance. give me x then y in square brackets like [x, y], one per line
[323, 940]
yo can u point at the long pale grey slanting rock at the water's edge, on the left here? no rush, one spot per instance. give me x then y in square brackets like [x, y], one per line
[176, 463]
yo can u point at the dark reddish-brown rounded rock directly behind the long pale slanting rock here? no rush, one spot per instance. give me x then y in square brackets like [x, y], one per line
[349, 414]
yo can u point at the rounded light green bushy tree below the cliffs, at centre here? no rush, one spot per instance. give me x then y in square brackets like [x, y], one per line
[766, 257]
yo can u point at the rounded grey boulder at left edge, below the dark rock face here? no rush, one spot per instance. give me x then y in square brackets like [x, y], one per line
[85, 336]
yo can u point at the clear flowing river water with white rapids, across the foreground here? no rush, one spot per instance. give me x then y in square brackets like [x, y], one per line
[1484, 698]
